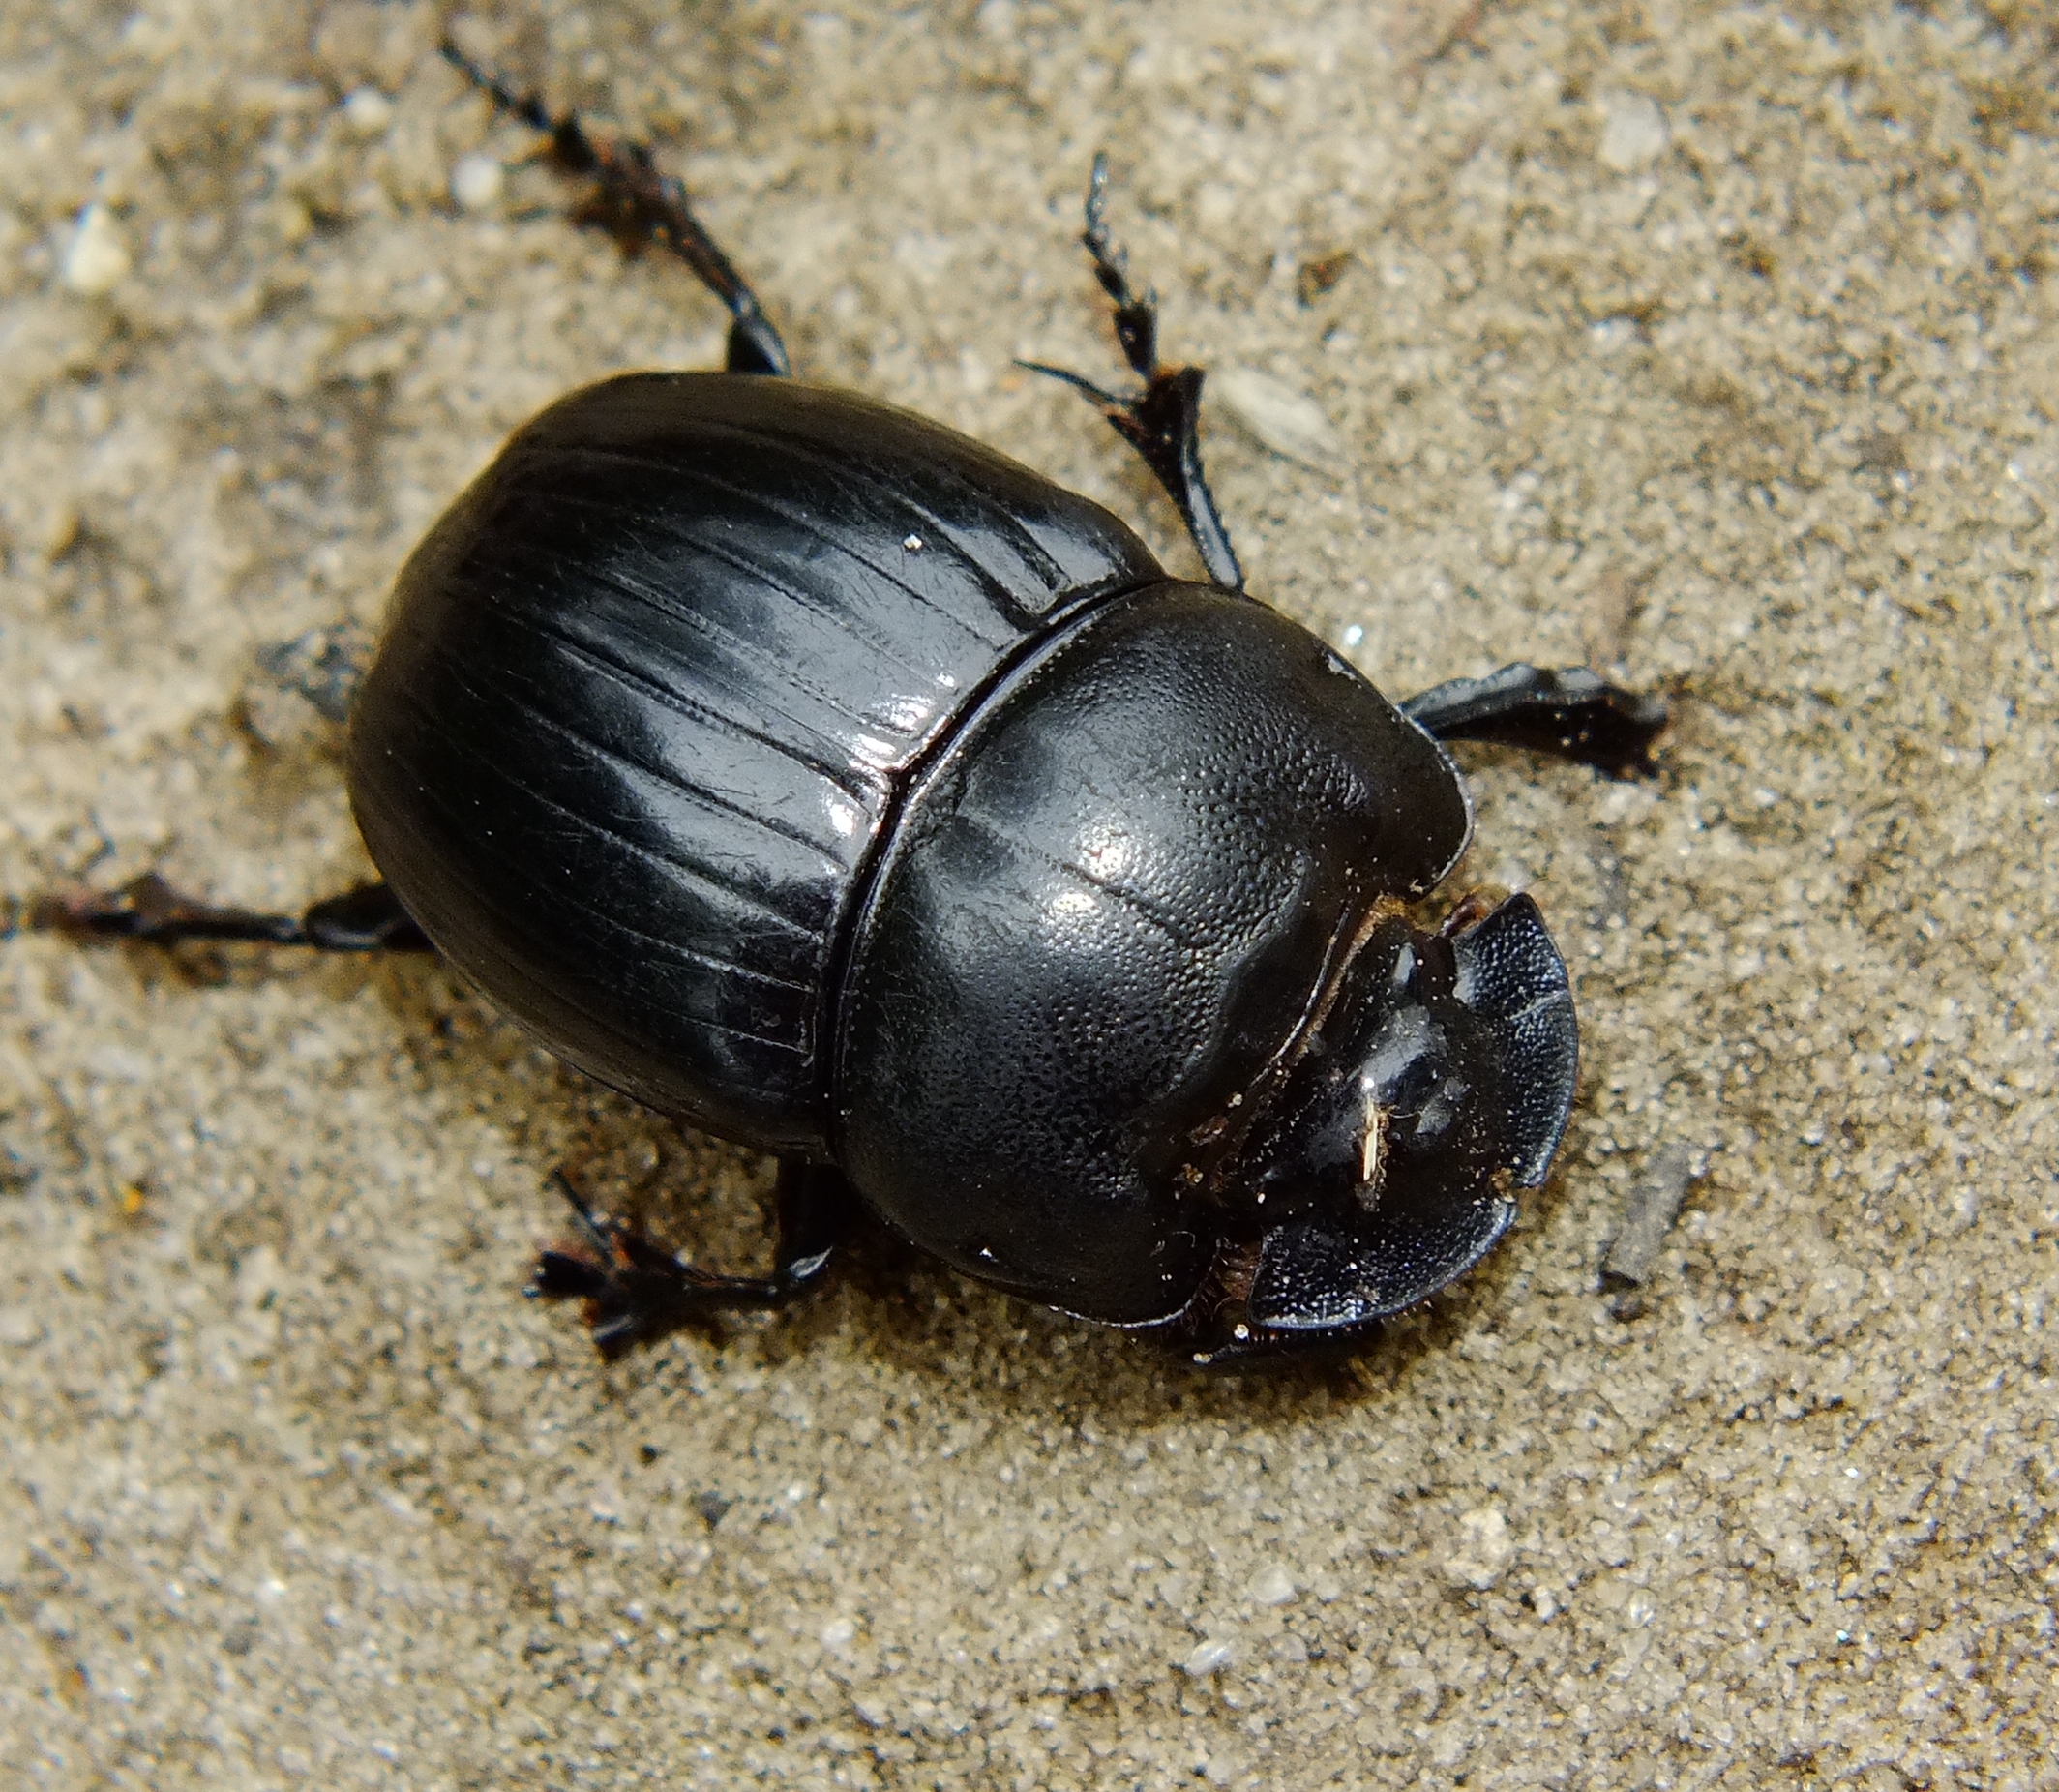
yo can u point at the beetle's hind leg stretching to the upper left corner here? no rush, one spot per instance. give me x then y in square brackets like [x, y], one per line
[637, 205]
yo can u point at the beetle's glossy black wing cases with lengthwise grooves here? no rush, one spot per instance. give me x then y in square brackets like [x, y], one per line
[652, 693]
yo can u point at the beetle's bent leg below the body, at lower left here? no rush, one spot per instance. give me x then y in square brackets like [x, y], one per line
[635, 1290]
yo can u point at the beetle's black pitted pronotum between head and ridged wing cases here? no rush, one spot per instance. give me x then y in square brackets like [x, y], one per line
[1105, 920]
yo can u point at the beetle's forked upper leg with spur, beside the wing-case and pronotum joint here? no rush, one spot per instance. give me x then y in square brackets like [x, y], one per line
[1162, 421]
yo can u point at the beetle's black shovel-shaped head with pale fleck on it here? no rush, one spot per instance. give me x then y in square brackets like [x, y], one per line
[1436, 1082]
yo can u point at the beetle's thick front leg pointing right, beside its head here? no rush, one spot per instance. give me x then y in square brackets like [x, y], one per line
[1572, 714]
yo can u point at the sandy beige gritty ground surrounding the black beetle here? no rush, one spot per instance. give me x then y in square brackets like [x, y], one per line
[1718, 345]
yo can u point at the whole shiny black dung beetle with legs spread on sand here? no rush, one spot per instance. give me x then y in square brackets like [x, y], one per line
[837, 786]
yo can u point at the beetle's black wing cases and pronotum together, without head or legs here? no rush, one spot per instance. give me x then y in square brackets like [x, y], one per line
[833, 784]
